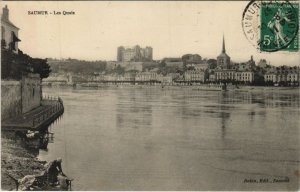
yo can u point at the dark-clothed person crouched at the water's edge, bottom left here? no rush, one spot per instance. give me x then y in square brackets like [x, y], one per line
[53, 170]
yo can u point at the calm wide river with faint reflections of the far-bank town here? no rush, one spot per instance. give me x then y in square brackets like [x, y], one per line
[177, 139]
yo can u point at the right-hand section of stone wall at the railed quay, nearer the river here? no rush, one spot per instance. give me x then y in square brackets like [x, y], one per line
[31, 92]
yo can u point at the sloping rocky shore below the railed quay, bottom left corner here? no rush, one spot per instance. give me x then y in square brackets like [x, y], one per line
[17, 162]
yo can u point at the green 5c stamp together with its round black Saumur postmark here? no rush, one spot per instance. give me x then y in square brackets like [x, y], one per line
[271, 25]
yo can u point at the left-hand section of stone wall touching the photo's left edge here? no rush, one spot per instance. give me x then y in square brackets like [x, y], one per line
[11, 102]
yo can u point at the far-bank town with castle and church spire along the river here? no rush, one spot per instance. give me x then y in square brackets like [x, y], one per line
[198, 70]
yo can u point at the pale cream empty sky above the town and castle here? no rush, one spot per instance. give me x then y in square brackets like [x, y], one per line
[172, 29]
